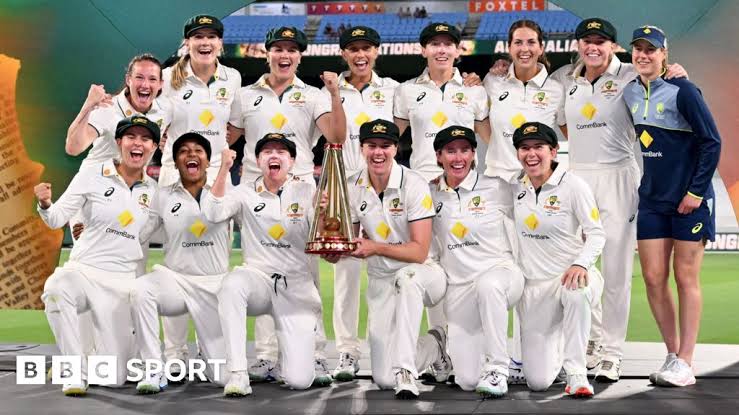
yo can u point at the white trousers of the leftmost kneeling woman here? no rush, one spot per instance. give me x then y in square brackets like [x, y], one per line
[76, 288]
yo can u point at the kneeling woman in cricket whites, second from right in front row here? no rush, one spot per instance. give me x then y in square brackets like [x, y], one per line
[474, 230]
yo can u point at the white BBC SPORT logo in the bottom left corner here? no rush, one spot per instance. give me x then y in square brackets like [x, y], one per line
[103, 370]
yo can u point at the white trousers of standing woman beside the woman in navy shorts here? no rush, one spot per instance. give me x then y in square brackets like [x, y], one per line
[616, 190]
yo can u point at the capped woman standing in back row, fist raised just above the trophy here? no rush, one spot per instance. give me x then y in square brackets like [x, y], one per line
[280, 102]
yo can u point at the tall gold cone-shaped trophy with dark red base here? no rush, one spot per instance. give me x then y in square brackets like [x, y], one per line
[333, 234]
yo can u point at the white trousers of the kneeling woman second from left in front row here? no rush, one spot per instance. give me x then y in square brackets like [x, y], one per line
[168, 293]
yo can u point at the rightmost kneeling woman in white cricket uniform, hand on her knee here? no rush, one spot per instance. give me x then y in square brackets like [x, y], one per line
[551, 206]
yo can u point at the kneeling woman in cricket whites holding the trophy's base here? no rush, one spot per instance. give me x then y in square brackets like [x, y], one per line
[393, 205]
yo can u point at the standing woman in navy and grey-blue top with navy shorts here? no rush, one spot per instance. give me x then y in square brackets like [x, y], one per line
[676, 213]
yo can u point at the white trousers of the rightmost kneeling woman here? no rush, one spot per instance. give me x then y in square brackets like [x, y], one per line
[554, 317]
